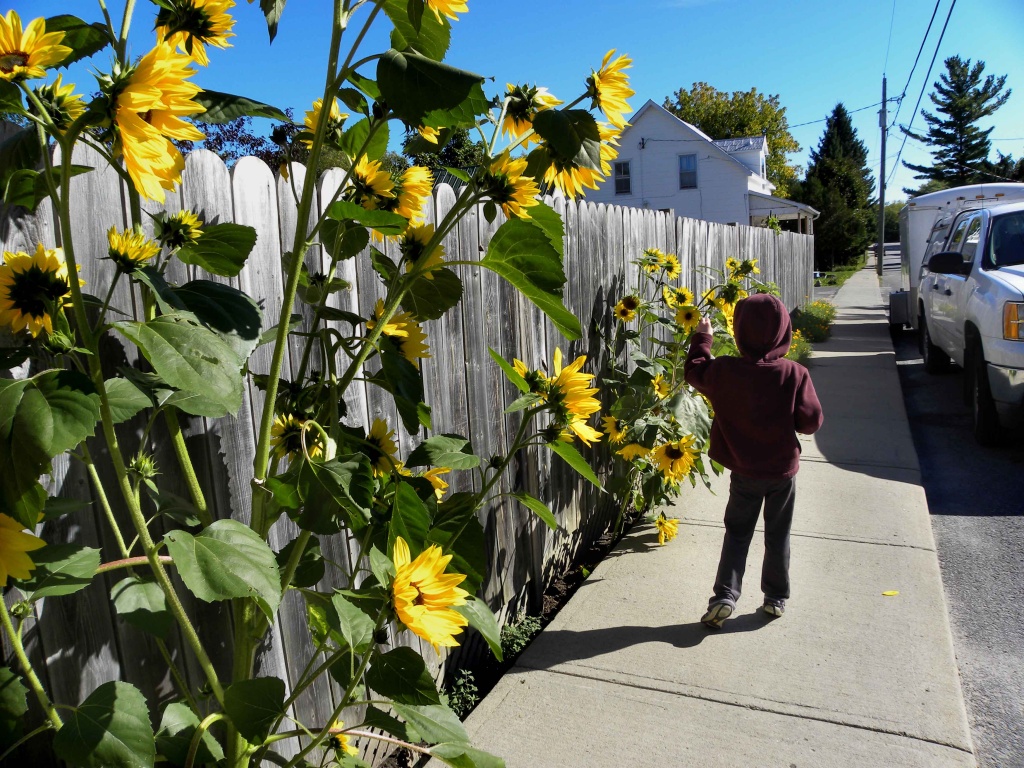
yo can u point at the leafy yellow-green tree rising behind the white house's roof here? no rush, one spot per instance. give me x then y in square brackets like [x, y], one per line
[722, 115]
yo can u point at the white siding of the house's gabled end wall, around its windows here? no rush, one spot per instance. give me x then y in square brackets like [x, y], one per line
[722, 182]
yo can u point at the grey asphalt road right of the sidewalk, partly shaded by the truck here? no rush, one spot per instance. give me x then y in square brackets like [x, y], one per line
[976, 499]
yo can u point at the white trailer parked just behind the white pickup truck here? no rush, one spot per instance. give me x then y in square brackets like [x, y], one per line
[924, 225]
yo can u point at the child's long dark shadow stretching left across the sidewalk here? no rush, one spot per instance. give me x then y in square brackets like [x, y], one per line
[553, 648]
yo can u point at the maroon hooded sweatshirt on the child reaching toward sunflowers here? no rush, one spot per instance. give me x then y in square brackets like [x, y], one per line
[761, 400]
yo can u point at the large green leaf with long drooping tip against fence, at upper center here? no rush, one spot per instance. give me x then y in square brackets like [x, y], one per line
[523, 253]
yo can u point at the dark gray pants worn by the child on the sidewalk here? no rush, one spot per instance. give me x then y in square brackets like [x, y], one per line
[746, 498]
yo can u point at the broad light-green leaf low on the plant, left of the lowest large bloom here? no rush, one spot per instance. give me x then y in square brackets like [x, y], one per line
[226, 562]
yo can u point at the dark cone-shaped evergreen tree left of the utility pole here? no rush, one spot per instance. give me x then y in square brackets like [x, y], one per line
[839, 186]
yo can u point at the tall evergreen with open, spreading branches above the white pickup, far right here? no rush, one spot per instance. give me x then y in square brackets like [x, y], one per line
[962, 98]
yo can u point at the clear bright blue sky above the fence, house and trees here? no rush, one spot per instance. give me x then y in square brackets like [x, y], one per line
[814, 54]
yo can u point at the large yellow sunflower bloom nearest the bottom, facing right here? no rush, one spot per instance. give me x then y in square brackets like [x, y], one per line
[424, 595]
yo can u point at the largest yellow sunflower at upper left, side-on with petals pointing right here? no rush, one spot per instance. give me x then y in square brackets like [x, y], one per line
[148, 107]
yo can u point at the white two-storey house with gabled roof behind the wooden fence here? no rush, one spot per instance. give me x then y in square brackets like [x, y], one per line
[667, 164]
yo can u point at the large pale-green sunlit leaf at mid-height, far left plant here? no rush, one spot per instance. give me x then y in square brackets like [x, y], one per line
[191, 358]
